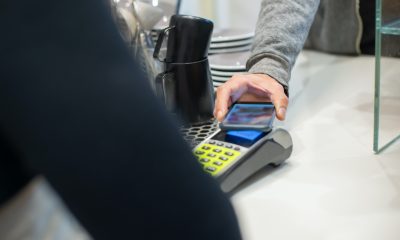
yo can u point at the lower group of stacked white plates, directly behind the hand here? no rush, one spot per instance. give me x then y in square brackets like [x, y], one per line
[224, 66]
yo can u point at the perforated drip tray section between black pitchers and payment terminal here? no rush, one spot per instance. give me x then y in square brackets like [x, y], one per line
[194, 134]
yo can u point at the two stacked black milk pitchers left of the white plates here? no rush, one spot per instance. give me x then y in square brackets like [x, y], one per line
[185, 86]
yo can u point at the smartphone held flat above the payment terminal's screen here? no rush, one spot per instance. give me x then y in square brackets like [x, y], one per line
[249, 115]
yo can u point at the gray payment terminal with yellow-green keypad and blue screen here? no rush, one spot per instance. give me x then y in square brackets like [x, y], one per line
[232, 156]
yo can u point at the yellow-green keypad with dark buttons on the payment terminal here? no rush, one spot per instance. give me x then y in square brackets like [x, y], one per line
[215, 157]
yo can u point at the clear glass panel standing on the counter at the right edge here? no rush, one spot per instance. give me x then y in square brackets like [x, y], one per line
[387, 71]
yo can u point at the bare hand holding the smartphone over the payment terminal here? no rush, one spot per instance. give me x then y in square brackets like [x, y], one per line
[250, 88]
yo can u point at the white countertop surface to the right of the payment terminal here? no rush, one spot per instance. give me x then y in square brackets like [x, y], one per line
[333, 187]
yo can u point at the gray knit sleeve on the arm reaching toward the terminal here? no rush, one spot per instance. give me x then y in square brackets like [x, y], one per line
[281, 31]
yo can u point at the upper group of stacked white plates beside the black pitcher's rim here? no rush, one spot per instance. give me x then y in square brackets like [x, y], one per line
[231, 40]
